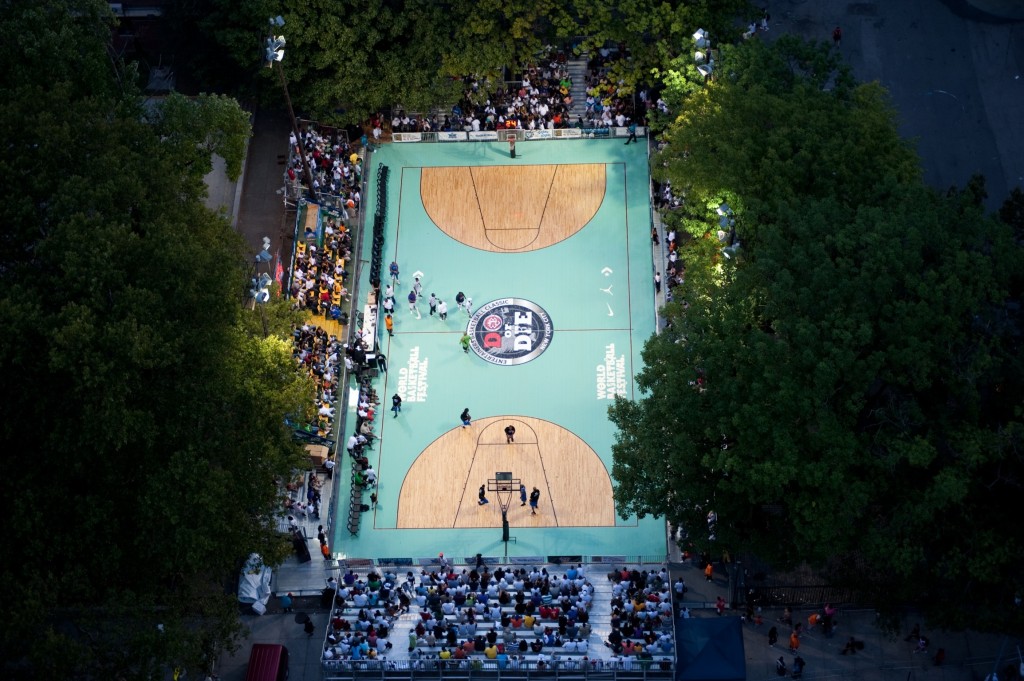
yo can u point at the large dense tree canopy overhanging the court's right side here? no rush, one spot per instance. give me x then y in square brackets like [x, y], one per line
[848, 392]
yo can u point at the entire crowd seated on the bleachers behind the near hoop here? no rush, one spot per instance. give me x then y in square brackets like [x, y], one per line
[505, 619]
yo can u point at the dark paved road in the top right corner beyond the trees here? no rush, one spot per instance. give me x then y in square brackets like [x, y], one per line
[956, 76]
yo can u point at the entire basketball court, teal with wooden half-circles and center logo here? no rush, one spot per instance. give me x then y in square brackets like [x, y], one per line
[553, 248]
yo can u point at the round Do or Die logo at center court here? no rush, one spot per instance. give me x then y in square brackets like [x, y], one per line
[510, 331]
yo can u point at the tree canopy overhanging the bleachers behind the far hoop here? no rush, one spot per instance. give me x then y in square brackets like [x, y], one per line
[349, 59]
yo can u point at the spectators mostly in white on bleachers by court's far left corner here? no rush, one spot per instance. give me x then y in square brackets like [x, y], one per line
[335, 164]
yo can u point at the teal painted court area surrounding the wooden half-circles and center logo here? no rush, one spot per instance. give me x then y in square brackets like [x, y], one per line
[571, 281]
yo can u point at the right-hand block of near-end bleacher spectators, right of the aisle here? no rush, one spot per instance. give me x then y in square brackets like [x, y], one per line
[642, 613]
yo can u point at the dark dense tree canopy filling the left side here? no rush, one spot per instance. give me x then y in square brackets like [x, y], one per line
[143, 427]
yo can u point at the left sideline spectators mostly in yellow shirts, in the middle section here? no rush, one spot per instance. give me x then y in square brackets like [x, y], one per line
[319, 274]
